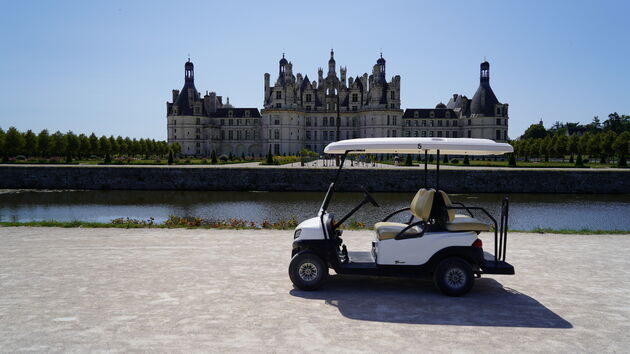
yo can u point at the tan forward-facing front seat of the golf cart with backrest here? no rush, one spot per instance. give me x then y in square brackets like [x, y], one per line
[420, 207]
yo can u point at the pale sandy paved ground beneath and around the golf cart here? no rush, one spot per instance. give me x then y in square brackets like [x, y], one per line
[86, 290]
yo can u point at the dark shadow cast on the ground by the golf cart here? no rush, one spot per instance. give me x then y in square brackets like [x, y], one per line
[418, 302]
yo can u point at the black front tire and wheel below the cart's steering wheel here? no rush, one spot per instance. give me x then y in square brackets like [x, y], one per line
[307, 271]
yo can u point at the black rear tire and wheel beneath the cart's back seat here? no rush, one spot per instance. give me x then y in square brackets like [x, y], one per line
[454, 277]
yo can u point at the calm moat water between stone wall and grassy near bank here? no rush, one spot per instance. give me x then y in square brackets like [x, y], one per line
[527, 211]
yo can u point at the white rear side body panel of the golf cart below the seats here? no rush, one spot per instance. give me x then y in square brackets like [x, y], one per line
[417, 251]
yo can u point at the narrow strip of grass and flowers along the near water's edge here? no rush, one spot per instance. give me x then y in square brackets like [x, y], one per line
[237, 224]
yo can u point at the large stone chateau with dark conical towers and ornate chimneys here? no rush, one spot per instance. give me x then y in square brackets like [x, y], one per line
[299, 113]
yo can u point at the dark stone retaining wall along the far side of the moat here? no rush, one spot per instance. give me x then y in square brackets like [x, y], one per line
[292, 179]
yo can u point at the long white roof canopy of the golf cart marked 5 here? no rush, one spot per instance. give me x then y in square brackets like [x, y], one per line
[452, 146]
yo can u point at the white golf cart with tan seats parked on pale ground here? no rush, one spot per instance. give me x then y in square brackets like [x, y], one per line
[434, 242]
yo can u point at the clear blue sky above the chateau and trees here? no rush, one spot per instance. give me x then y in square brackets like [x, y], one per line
[110, 66]
